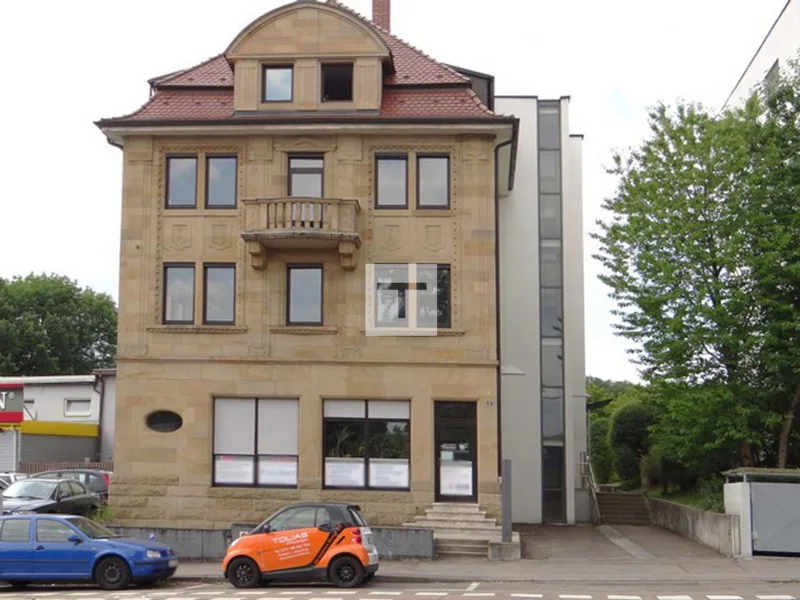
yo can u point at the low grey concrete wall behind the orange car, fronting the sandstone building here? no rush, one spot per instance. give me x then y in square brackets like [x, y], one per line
[210, 544]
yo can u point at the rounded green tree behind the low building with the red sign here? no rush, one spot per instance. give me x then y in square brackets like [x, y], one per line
[51, 326]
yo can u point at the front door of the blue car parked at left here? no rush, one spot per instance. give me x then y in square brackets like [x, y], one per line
[58, 556]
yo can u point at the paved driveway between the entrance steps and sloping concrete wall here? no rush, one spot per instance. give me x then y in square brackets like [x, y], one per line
[617, 542]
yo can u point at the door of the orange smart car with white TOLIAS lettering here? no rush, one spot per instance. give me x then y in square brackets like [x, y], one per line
[293, 540]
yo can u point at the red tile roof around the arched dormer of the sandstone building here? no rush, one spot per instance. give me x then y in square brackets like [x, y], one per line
[448, 94]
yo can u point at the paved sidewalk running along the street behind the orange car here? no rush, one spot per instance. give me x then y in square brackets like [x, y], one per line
[696, 570]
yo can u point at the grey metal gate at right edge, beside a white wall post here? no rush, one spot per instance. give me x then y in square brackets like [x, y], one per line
[776, 517]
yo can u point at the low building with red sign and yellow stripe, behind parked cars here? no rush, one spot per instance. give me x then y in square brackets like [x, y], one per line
[57, 419]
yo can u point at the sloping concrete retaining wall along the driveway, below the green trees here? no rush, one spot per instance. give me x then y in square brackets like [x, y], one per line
[715, 530]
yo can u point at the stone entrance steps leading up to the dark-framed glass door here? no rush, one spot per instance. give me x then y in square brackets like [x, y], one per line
[460, 529]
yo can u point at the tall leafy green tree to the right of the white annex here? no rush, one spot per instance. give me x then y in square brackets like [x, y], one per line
[702, 254]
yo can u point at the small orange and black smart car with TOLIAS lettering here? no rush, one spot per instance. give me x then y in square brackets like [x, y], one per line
[324, 541]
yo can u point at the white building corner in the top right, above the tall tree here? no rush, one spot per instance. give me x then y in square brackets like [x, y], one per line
[780, 45]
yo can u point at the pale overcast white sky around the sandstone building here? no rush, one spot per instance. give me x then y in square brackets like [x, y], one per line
[72, 63]
